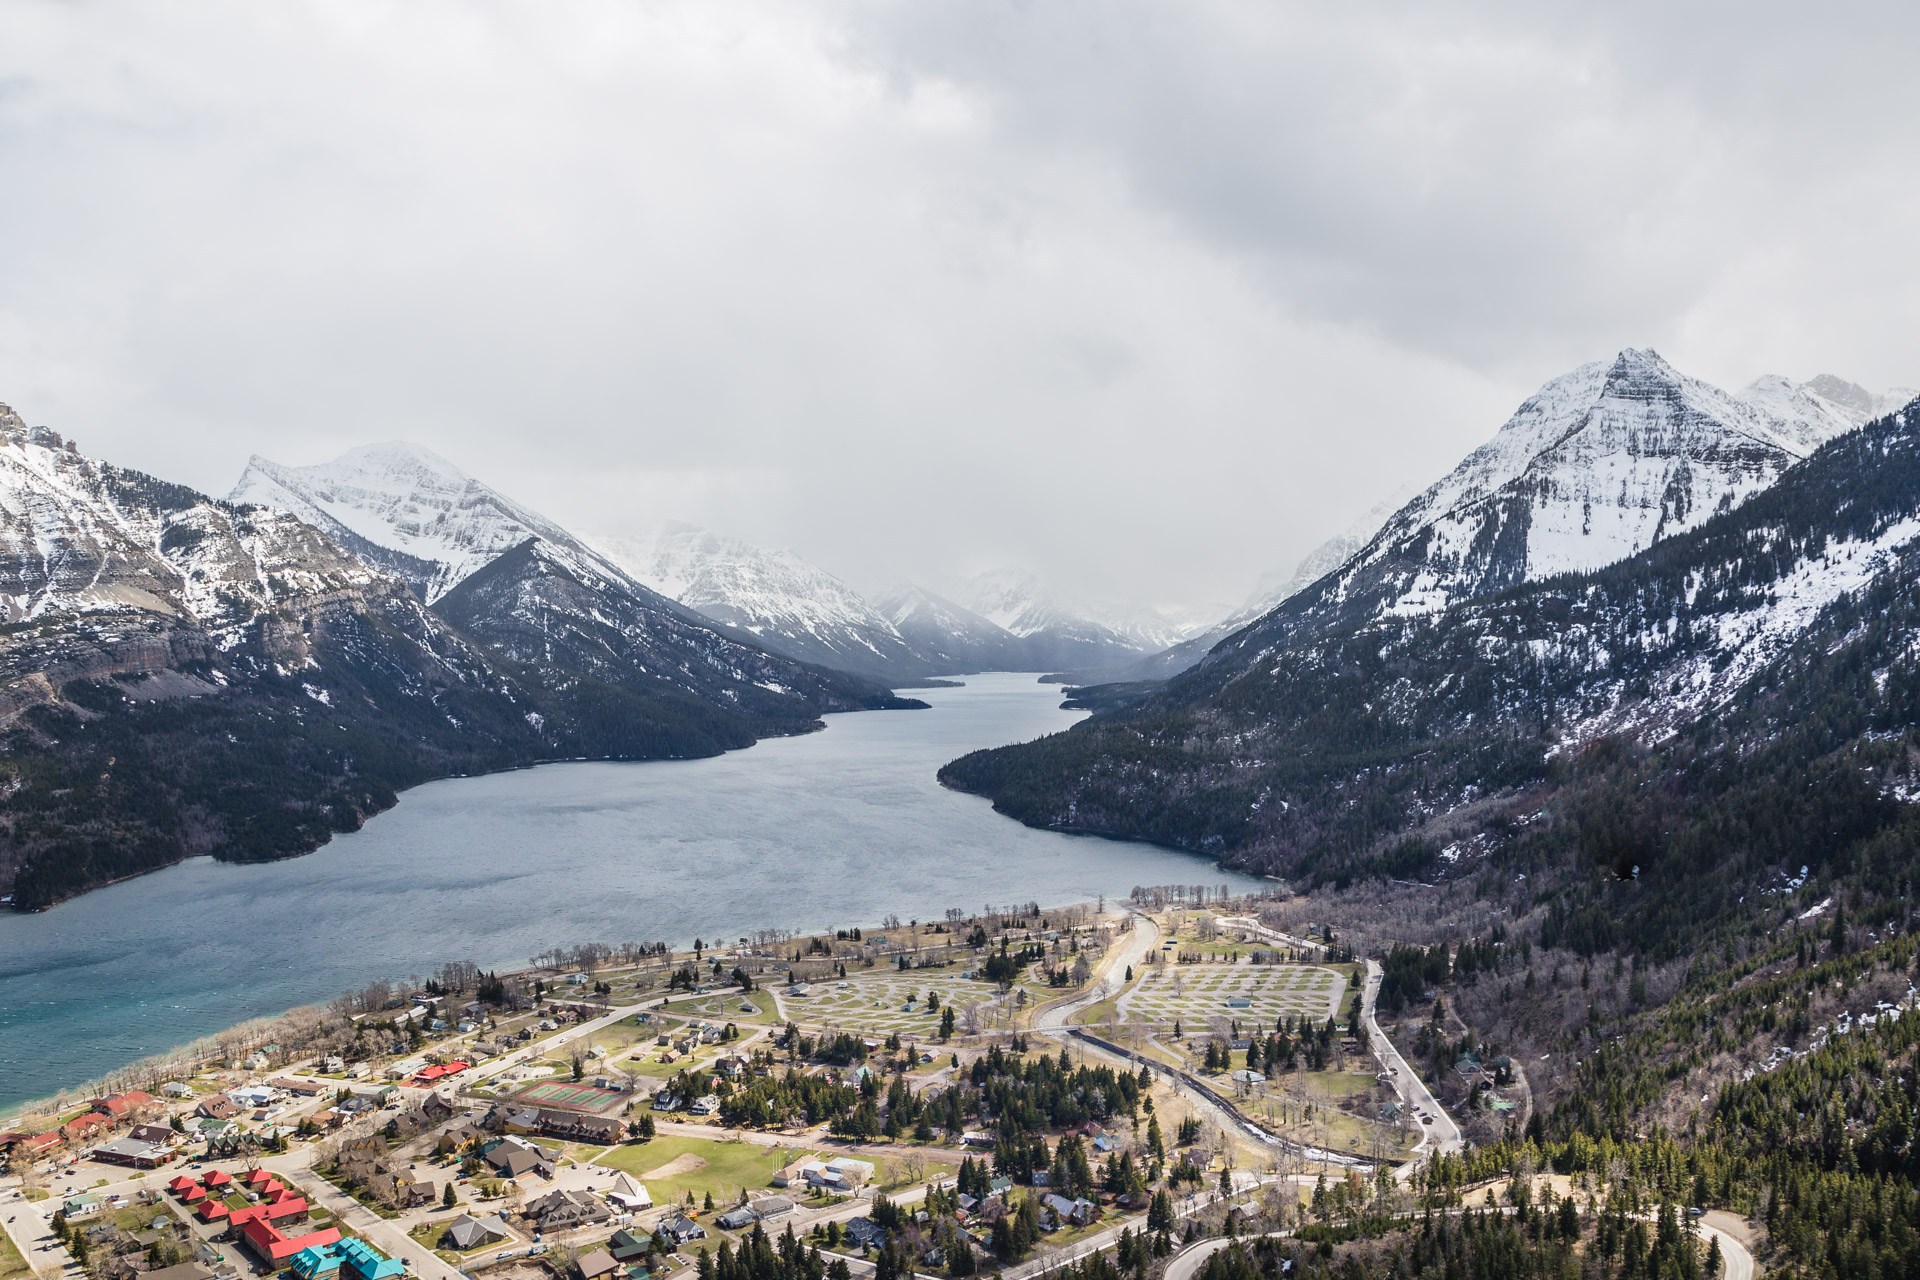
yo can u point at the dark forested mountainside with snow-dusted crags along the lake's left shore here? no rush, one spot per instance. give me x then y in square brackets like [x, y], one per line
[187, 676]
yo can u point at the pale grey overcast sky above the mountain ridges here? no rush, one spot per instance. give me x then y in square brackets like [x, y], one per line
[1149, 298]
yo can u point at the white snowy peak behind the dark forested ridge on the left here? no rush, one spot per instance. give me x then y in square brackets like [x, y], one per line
[412, 513]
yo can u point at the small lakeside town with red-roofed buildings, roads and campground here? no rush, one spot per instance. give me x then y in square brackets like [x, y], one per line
[1003, 1093]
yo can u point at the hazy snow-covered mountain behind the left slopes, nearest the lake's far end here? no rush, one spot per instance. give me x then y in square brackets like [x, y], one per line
[780, 600]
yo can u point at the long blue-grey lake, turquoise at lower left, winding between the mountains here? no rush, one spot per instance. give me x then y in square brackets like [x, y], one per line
[830, 830]
